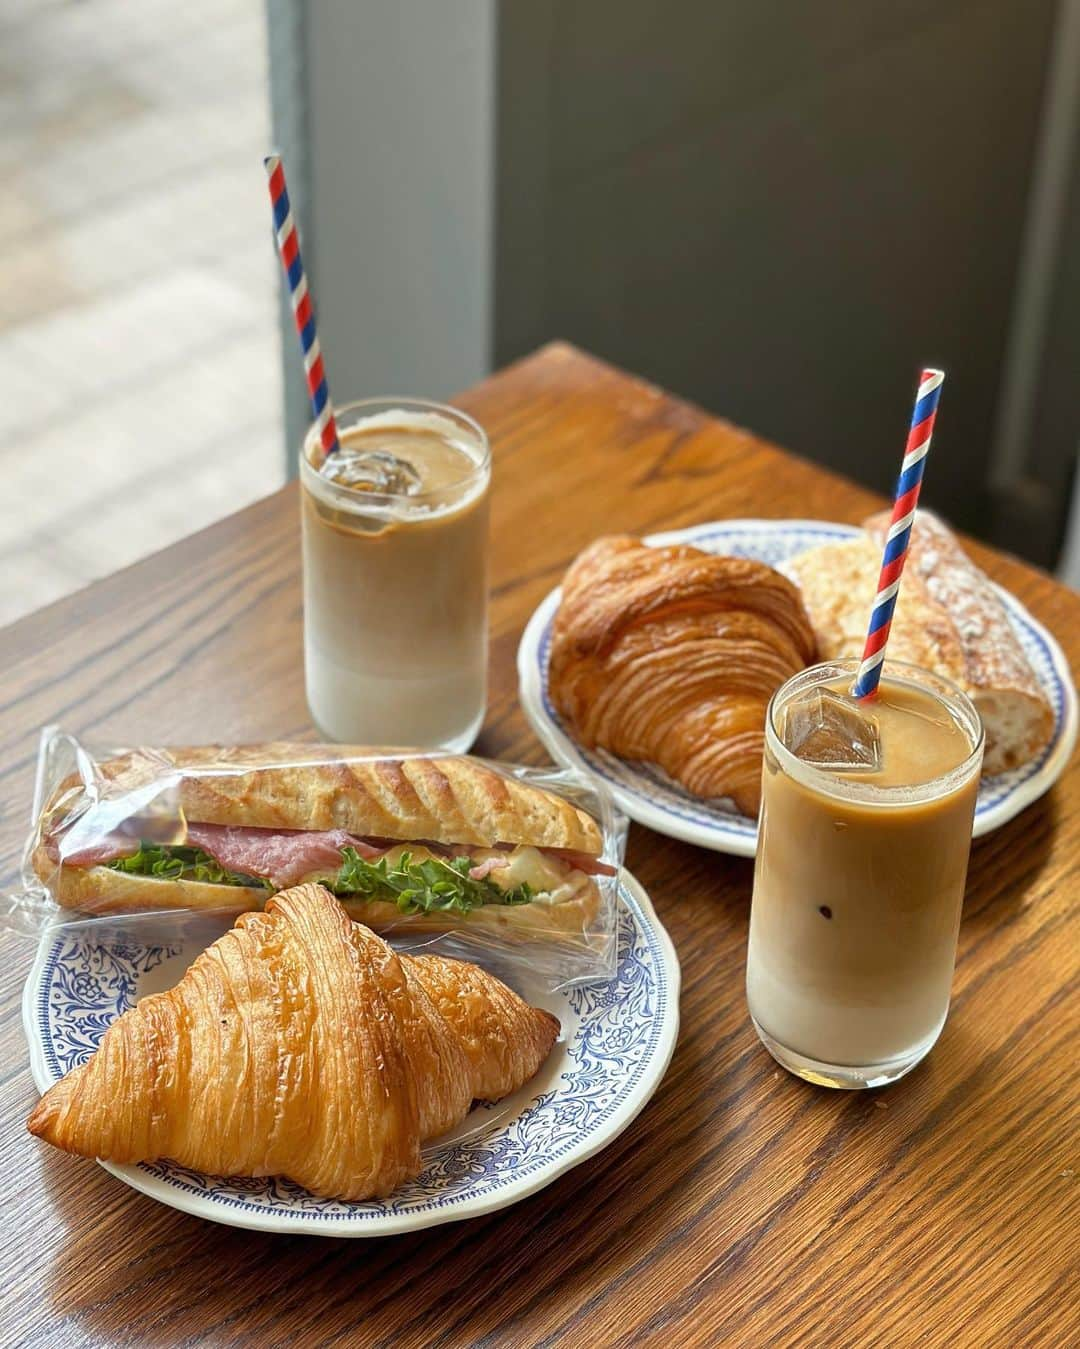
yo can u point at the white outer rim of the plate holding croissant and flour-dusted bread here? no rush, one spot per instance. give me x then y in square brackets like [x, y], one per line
[737, 834]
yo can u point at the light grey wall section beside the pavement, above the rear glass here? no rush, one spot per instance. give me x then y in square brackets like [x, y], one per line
[398, 241]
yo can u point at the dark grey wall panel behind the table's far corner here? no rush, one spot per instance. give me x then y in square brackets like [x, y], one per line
[780, 211]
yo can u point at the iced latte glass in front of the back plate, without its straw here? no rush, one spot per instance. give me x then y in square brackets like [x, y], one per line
[861, 871]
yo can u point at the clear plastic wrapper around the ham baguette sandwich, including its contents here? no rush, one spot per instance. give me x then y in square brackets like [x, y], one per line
[127, 844]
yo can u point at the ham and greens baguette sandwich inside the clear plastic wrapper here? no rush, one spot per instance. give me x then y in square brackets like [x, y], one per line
[433, 842]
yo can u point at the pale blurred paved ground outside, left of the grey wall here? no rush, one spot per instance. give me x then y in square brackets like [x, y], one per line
[140, 349]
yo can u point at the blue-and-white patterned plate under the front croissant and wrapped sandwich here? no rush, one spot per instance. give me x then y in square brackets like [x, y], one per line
[616, 1046]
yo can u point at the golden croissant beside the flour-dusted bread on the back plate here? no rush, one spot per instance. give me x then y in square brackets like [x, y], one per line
[671, 655]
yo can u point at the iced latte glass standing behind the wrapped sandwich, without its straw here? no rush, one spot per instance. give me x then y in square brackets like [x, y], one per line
[396, 539]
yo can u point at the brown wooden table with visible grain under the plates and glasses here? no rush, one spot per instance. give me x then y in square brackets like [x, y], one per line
[742, 1207]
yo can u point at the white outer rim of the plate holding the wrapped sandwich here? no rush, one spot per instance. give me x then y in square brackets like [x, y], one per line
[641, 1088]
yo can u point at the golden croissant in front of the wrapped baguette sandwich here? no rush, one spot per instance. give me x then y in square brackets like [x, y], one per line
[300, 1045]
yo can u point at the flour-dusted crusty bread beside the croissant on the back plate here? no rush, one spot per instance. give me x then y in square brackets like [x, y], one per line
[949, 620]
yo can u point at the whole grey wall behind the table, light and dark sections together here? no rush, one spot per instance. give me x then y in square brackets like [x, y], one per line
[780, 211]
